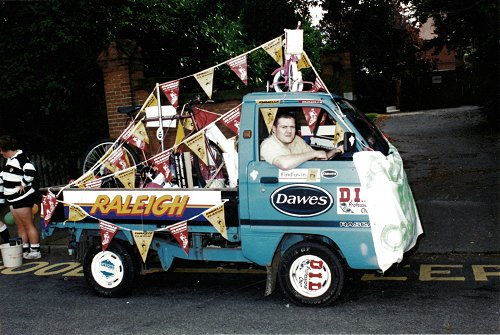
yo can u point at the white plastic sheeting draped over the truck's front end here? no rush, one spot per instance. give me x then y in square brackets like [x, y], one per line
[394, 219]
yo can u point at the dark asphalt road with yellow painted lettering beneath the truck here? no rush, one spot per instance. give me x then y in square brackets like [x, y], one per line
[427, 294]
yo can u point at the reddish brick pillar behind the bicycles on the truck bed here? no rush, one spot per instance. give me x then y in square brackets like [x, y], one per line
[122, 69]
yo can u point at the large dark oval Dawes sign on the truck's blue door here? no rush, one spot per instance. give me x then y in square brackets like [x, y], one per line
[301, 200]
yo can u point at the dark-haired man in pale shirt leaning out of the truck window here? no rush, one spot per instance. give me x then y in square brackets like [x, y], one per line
[285, 150]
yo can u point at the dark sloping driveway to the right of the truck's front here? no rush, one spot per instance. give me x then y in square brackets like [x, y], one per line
[451, 159]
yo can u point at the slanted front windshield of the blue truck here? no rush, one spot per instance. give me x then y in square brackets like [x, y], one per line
[371, 134]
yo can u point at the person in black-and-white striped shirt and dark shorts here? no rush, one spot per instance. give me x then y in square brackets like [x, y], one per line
[17, 191]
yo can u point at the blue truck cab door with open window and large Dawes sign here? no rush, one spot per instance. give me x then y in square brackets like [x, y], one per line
[314, 194]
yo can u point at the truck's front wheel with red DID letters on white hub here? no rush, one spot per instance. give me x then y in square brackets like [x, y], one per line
[311, 274]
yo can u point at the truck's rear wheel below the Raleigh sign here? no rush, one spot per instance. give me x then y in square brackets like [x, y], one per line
[122, 267]
